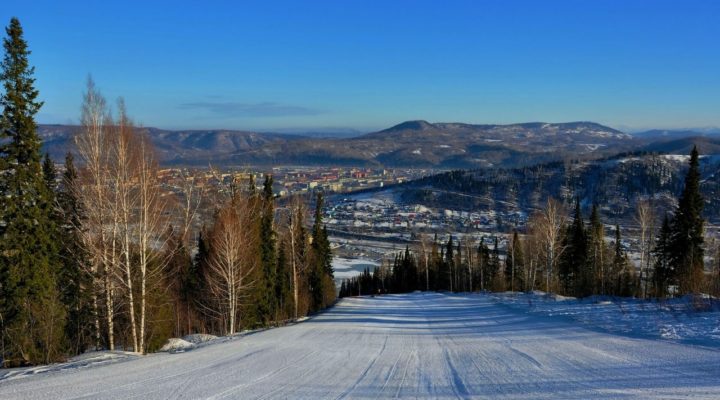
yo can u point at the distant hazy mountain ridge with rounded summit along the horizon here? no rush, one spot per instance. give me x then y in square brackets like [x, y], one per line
[410, 144]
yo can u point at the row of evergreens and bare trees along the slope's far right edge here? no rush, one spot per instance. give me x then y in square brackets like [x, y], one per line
[562, 252]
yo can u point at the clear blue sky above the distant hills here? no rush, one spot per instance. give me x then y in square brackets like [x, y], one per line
[370, 64]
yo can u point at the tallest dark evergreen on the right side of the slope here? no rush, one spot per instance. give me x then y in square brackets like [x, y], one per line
[687, 251]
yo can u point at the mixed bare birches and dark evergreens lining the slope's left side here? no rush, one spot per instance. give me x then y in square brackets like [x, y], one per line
[102, 256]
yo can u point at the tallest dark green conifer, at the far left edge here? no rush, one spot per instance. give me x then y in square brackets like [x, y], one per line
[33, 317]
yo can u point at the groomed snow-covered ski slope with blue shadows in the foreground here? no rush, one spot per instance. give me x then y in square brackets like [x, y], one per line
[406, 346]
